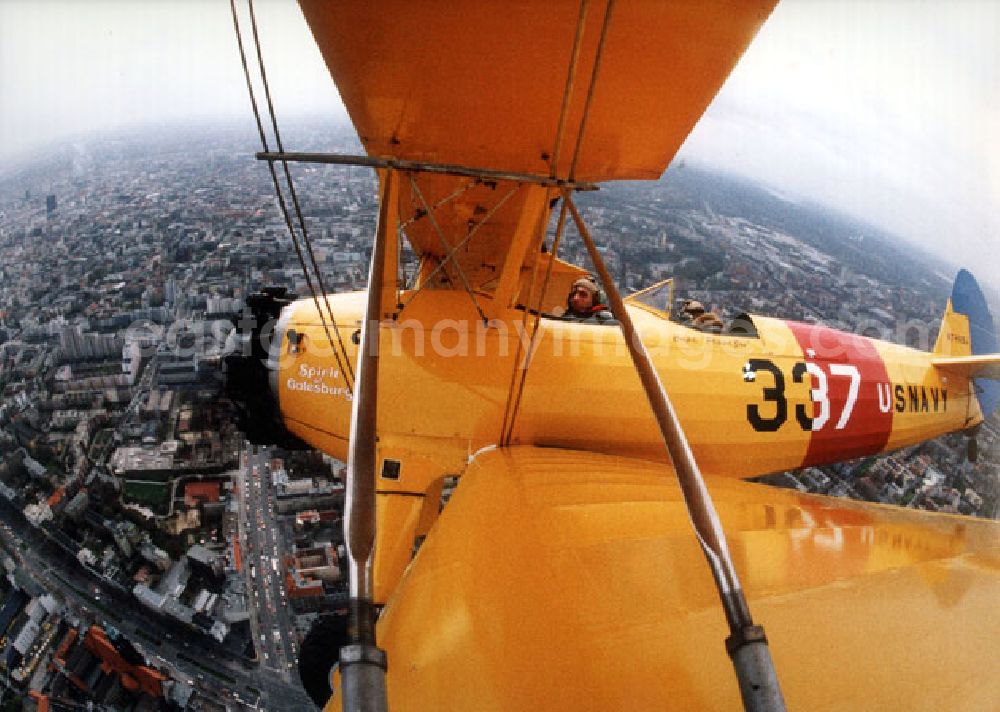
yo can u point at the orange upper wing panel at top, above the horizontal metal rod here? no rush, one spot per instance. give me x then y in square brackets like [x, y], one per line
[482, 83]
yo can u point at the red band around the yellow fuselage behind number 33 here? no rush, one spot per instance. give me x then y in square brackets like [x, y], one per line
[868, 426]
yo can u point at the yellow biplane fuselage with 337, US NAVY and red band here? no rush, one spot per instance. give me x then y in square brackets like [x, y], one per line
[792, 396]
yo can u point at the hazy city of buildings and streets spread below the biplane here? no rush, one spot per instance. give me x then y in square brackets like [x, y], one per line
[153, 558]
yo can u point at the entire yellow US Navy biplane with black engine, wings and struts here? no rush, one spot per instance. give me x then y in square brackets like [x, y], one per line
[600, 465]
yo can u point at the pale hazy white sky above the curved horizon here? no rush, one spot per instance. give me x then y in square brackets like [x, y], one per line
[887, 109]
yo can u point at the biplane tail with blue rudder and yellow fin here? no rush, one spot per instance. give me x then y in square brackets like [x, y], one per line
[967, 343]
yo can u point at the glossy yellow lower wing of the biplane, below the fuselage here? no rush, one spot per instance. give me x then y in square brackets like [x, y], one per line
[561, 580]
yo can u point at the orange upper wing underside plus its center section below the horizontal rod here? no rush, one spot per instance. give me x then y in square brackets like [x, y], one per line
[483, 85]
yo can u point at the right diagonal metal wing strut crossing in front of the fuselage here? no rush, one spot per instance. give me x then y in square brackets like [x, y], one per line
[746, 644]
